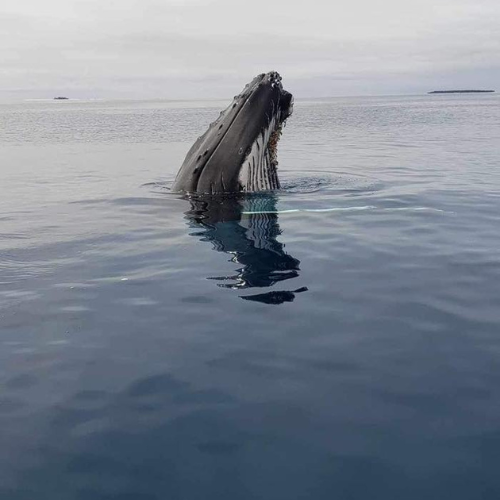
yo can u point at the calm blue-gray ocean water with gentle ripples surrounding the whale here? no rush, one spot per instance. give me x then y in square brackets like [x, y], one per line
[338, 339]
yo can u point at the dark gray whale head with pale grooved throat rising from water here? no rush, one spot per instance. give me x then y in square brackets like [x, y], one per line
[238, 151]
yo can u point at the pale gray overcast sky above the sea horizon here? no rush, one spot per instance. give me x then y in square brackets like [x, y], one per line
[210, 48]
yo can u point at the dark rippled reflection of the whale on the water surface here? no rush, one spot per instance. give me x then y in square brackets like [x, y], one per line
[247, 229]
